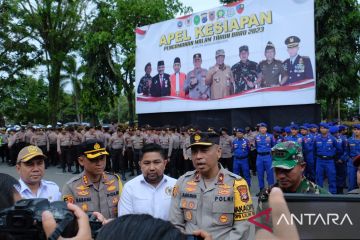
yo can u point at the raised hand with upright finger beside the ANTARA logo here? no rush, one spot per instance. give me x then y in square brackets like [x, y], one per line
[282, 231]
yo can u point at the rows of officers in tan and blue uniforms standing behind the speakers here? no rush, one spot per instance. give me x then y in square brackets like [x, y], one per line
[327, 149]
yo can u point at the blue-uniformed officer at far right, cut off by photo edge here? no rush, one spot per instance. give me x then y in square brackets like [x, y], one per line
[353, 150]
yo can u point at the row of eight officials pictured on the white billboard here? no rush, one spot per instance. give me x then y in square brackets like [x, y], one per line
[221, 80]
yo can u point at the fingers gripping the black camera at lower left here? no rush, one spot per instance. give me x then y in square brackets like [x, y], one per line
[84, 232]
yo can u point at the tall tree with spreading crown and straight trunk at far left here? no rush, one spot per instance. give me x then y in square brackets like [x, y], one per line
[55, 26]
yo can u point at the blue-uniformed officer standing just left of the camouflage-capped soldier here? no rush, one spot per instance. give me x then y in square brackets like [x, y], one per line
[264, 142]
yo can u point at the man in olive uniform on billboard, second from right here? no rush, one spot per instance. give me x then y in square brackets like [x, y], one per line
[271, 72]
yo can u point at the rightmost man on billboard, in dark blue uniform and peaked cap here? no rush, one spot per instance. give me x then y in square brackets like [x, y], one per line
[297, 67]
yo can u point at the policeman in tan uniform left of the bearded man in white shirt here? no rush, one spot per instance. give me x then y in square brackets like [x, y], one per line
[94, 189]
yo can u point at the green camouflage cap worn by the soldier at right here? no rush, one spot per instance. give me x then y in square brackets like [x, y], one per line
[287, 155]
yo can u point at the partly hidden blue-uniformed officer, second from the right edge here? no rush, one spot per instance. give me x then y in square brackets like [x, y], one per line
[340, 164]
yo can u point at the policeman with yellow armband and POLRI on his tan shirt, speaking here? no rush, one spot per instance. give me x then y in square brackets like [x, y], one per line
[211, 198]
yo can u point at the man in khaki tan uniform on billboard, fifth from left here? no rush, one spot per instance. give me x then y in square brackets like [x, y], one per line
[220, 78]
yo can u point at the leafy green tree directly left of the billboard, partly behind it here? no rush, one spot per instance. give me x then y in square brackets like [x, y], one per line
[109, 51]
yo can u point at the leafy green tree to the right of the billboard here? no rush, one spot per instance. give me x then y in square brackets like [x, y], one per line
[337, 55]
